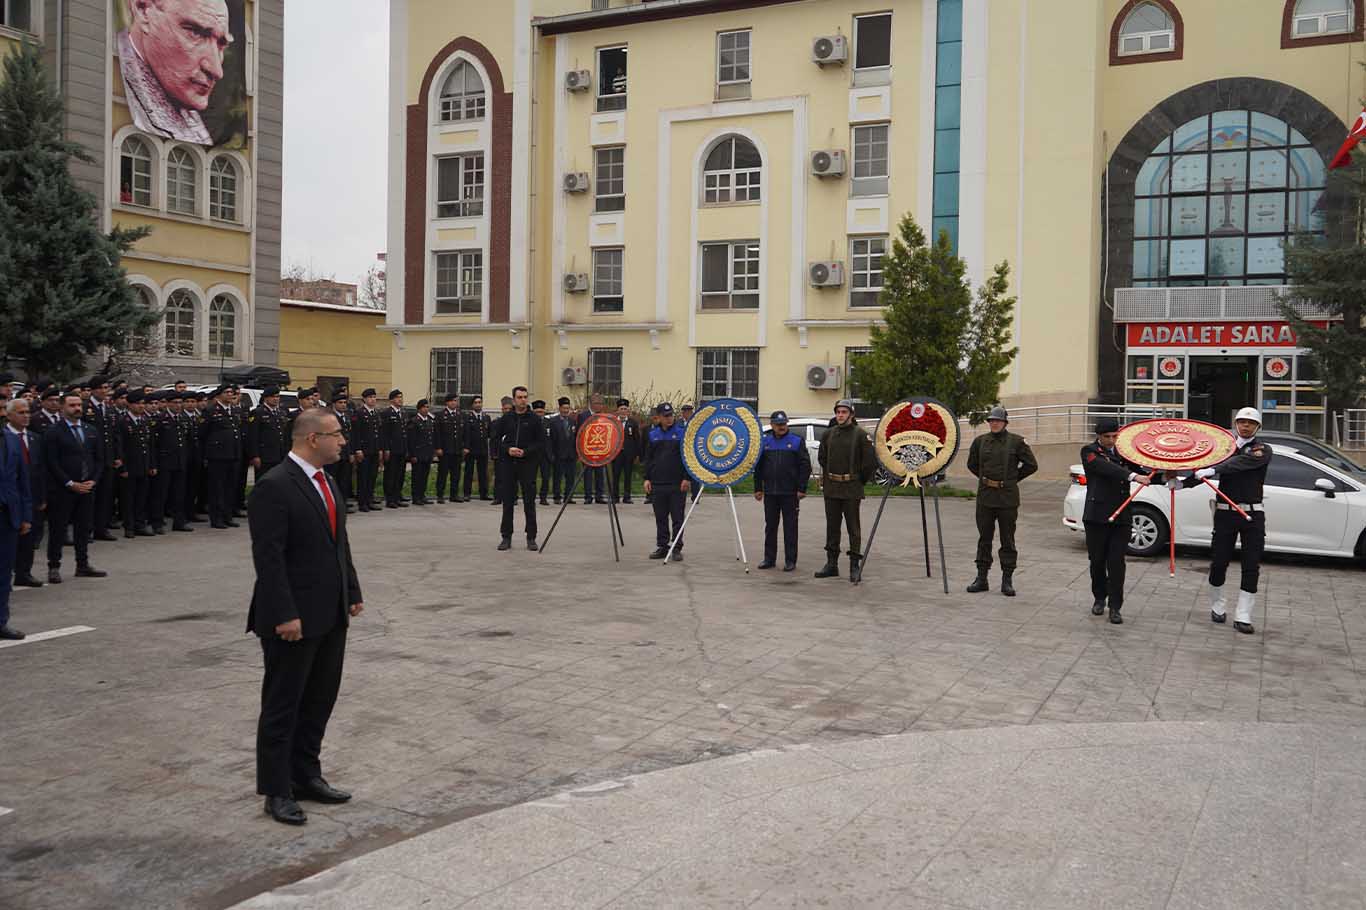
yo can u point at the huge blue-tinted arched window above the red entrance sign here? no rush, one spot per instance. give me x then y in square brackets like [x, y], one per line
[1219, 199]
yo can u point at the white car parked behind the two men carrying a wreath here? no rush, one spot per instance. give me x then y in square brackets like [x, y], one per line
[1311, 509]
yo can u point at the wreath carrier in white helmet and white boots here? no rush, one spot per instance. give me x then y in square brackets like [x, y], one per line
[1241, 479]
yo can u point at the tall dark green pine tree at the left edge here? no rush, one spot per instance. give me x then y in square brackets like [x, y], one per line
[64, 292]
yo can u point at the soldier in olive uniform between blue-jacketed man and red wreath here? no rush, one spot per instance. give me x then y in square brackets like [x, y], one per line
[848, 464]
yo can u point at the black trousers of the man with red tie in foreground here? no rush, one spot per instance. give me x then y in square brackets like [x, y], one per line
[300, 689]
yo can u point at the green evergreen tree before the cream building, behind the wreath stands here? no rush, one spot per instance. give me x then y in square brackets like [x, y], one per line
[940, 341]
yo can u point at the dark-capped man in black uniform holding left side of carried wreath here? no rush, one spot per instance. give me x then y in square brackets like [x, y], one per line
[1109, 478]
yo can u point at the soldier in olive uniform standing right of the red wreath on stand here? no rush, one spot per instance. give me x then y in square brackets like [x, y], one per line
[1001, 461]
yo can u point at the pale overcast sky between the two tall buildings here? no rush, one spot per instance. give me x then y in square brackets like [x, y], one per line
[335, 148]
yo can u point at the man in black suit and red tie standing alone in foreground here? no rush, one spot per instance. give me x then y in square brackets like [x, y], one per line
[307, 591]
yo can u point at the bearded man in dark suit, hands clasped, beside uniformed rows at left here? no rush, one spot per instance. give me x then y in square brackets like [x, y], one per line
[74, 456]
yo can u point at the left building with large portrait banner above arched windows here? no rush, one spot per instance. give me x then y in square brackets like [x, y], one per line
[206, 177]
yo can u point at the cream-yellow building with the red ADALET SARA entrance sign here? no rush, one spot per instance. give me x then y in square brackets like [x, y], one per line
[693, 197]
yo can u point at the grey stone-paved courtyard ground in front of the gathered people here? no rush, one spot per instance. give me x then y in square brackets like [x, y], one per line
[479, 681]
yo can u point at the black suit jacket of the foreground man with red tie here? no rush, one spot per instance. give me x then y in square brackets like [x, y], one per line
[303, 570]
